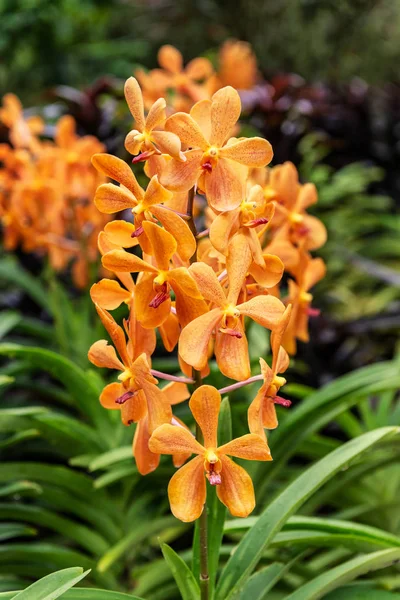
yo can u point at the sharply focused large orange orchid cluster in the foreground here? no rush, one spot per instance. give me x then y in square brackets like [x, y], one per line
[198, 287]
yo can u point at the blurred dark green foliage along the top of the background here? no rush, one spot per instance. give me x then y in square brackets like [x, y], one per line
[44, 43]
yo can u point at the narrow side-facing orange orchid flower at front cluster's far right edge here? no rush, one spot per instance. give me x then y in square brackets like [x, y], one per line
[308, 272]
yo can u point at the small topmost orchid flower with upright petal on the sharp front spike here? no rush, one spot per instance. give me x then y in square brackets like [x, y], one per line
[147, 139]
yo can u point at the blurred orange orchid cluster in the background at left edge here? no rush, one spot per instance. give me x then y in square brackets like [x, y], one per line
[46, 191]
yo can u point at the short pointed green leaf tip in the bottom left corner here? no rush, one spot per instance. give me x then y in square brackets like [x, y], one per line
[52, 586]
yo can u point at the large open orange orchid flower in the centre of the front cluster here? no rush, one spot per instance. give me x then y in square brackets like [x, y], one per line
[231, 348]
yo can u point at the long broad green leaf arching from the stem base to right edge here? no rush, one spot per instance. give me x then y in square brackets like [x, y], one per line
[253, 544]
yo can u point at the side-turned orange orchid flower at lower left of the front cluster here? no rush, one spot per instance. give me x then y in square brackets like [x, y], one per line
[136, 394]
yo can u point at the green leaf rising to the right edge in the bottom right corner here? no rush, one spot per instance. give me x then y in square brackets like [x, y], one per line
[334, 578]
